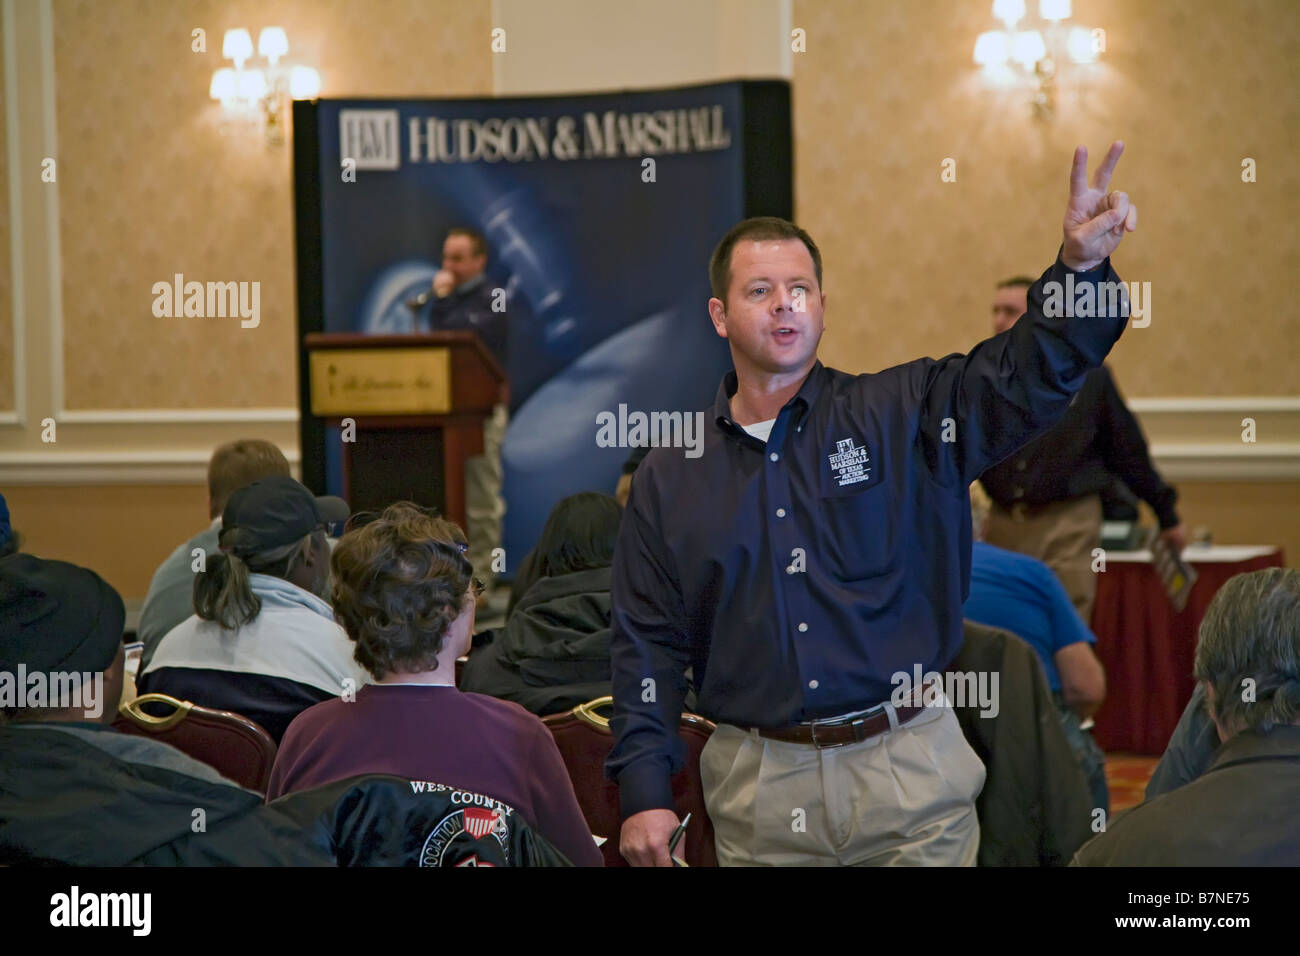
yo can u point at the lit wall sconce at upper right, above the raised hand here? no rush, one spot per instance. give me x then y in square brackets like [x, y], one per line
[1034, 55]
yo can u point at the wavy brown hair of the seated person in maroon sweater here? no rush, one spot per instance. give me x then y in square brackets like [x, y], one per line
[400, 582]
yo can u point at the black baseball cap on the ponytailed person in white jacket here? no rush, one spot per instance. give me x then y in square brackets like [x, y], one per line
[275, 512]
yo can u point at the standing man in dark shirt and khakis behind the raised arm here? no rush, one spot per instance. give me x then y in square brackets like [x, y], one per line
[1047, 498]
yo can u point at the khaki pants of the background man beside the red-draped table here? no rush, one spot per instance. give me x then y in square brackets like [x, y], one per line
[1060, 535]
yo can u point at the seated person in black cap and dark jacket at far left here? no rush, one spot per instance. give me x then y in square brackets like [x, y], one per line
[72, 789]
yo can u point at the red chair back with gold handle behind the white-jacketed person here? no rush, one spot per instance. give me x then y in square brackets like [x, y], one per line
[231, 743]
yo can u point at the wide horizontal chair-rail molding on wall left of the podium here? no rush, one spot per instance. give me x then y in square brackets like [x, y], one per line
[112, 468]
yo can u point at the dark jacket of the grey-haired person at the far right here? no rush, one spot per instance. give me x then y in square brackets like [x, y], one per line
[1238, 814]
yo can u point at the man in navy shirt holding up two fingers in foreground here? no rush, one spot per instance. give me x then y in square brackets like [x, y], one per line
[818, 548]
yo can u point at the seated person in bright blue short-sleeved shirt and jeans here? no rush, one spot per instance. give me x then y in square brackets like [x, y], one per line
[1022, 595]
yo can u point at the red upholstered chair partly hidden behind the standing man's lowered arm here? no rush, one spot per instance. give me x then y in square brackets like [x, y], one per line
[584, 739]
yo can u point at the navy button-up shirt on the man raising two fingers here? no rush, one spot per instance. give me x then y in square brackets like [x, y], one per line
[796, 578]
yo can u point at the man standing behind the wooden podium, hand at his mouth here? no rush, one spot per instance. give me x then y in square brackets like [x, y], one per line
[466, 301]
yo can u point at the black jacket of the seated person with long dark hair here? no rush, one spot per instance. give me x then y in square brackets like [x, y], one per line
[554, 651]
